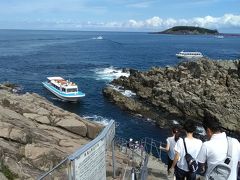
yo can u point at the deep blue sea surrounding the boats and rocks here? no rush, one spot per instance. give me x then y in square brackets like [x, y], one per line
[28, 57]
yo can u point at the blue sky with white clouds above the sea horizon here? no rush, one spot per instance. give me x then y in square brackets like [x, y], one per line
[119, 15]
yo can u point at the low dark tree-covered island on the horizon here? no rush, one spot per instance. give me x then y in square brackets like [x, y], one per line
[189, 30]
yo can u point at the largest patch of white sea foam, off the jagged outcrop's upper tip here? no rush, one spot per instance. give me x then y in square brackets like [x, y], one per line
[110, 73]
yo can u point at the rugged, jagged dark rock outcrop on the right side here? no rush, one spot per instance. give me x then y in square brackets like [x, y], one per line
[190, 90]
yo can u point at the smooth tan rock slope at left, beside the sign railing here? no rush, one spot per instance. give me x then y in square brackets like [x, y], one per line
[35, 135]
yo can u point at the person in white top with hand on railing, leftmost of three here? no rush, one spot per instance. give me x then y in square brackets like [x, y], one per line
[171, 142]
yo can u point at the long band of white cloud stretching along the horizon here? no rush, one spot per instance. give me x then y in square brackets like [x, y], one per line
[227, 21]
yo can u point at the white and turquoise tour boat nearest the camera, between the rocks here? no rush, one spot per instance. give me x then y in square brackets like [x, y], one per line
[63, 89]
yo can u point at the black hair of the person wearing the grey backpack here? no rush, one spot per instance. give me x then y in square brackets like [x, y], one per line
[212, 123]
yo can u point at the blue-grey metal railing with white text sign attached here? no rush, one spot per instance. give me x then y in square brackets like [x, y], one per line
[74, 166]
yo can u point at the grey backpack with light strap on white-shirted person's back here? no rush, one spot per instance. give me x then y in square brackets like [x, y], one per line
[222, 170]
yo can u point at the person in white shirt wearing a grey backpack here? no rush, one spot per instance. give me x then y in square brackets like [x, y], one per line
[220, 155]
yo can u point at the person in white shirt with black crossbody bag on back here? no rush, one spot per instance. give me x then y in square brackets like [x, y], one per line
[186, 150]
